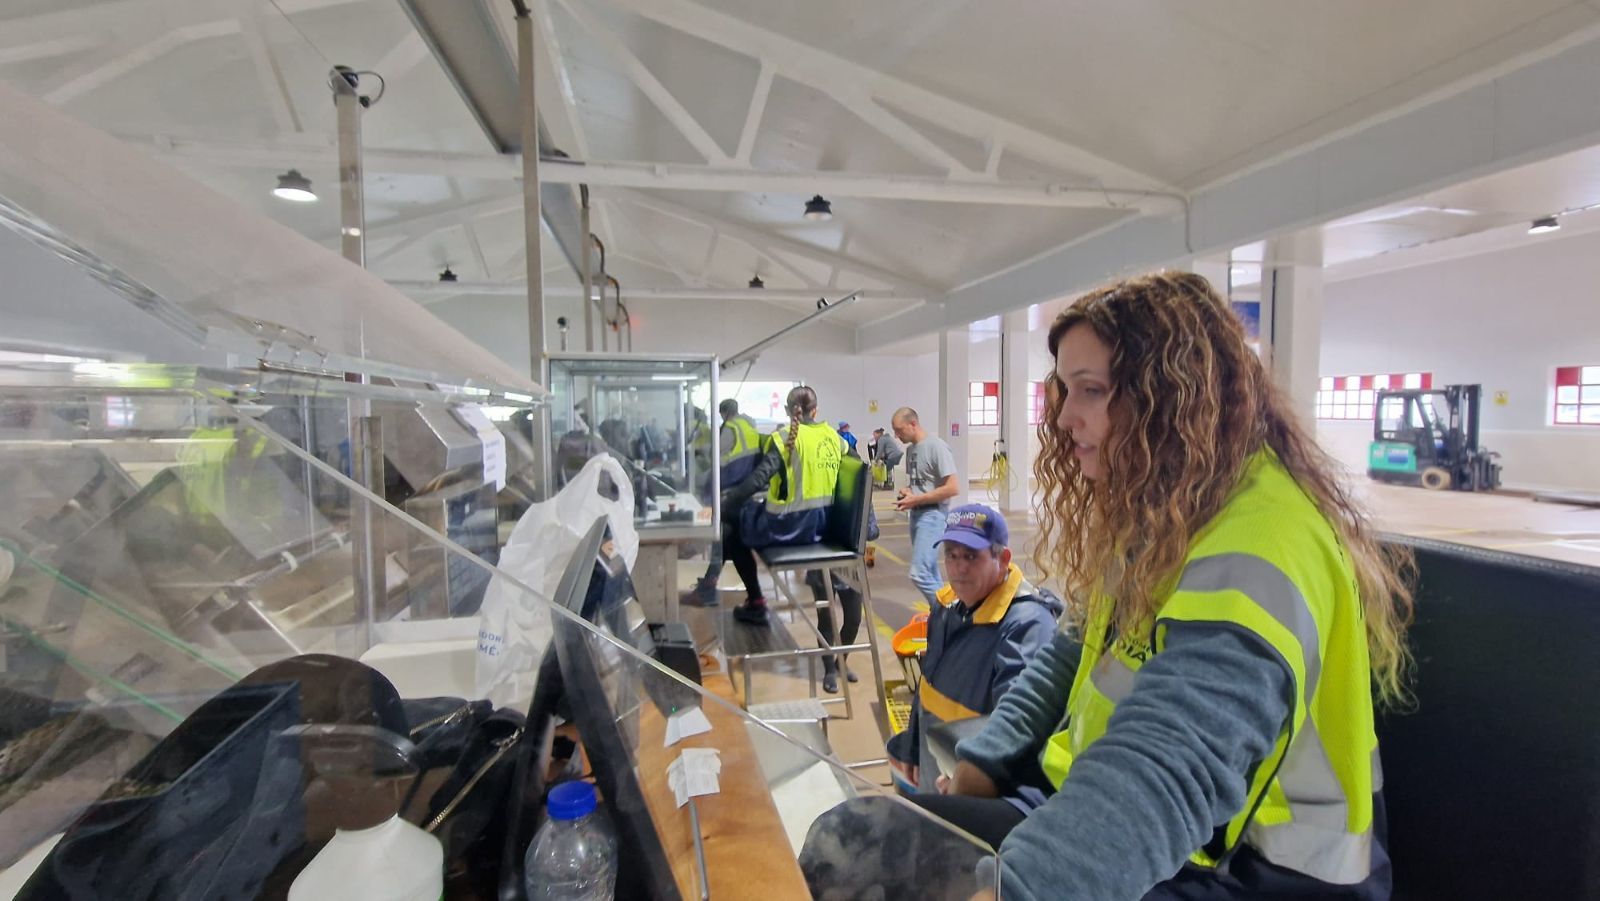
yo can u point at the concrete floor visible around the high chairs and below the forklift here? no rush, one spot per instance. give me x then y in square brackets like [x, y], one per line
[1503, 523]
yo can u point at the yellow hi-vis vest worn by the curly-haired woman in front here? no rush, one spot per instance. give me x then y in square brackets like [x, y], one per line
[1270, 564]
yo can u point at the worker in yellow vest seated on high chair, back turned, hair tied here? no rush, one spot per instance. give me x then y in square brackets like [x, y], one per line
[799, 473]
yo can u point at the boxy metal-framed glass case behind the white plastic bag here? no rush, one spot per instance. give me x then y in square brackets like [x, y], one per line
[655, 414]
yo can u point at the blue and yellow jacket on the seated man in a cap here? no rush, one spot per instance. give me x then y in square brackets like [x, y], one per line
[972, 659]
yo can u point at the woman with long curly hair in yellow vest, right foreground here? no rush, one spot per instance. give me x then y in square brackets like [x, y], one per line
[1206, 719]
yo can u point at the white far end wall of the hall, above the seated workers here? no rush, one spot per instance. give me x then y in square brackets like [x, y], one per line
[822, 356]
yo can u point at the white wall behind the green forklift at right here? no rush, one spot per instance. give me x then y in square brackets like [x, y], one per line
[1503, 321]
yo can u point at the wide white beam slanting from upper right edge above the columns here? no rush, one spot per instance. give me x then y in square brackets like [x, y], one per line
[1482, 127]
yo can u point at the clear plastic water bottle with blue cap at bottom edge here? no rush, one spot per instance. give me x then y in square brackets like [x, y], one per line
[574, 855]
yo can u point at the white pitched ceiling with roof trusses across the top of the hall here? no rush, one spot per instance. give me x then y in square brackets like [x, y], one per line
[1025, 97]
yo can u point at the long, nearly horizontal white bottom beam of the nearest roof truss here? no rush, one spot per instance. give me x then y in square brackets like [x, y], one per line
[934, 190]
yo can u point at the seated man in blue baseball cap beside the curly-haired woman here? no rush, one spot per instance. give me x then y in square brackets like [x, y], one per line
[983, 631]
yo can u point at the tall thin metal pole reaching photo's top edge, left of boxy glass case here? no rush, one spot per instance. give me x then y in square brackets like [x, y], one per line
[540, 366]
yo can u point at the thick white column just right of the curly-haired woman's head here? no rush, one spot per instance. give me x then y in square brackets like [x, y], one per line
[1292, 316]
